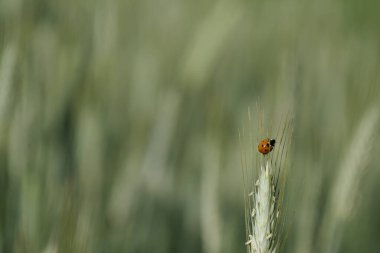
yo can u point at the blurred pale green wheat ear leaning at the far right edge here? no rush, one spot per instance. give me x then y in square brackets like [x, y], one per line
[345, 187]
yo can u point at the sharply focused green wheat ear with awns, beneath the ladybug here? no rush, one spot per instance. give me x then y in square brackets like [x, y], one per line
[264, 184]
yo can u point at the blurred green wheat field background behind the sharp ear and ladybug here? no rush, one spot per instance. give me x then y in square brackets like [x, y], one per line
[119, 119]
